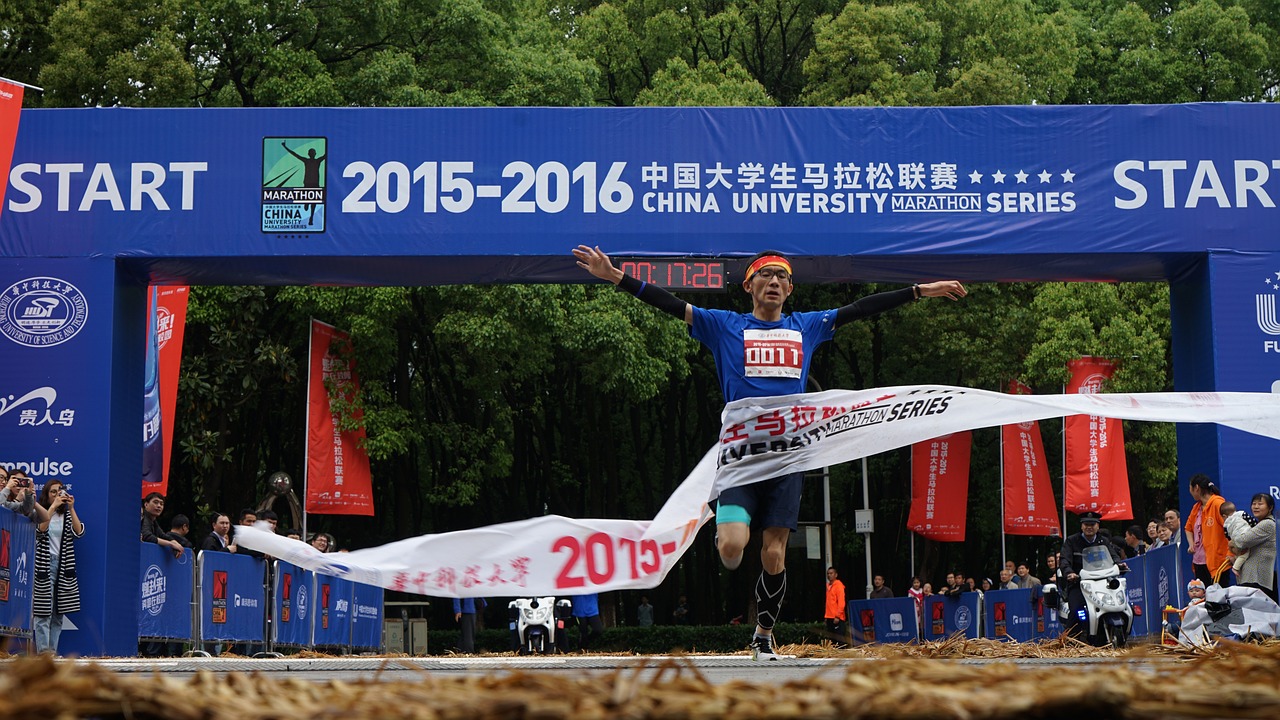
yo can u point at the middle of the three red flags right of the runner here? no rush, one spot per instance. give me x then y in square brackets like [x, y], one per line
[1030, 505]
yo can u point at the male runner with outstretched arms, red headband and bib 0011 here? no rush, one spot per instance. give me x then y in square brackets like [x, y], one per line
[737, 341]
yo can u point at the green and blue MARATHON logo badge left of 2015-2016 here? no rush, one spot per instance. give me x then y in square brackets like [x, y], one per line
[294, 185]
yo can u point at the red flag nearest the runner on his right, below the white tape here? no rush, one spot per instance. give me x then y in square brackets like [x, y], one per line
[940, 487]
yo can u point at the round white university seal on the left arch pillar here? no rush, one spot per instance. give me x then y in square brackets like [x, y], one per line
[43, 312]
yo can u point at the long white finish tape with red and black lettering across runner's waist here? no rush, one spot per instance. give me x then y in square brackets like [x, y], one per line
[761, 439]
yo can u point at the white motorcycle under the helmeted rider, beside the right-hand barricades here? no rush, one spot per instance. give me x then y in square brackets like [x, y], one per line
[1107, 614]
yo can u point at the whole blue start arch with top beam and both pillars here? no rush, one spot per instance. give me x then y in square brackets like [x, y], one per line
[102, 202]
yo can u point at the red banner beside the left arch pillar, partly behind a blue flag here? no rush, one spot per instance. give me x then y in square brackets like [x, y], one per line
[167, 309]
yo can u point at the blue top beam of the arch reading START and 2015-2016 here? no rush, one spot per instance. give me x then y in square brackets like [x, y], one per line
[196, 190]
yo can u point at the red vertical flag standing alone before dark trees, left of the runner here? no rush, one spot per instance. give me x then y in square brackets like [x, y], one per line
[339, 479]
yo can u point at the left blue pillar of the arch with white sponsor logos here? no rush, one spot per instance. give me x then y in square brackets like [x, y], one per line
[65, 408]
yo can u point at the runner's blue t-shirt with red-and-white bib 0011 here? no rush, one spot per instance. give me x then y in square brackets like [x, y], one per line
[761, 359]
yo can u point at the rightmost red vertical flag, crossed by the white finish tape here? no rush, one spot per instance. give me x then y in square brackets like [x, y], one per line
[1098, 476]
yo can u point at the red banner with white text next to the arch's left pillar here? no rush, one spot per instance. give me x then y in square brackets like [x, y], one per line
[167, 313]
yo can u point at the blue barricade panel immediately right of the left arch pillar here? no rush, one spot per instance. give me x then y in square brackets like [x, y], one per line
[167, 586]
